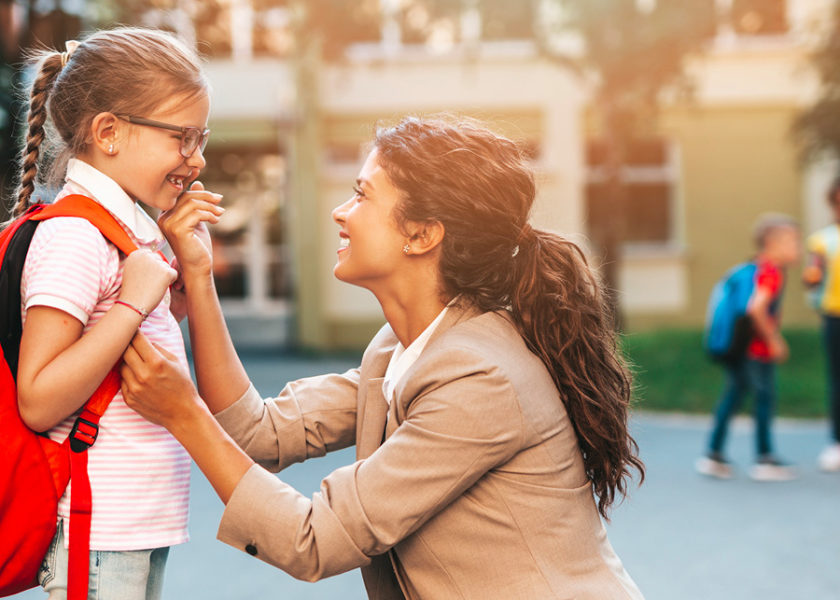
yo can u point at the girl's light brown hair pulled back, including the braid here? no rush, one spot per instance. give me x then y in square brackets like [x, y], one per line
[122, 71]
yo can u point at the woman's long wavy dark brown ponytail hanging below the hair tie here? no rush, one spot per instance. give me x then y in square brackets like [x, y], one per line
[558, 305]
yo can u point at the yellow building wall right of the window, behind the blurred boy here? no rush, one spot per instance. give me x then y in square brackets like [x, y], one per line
[736, 163]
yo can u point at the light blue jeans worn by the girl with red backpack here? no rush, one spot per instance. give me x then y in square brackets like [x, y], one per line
[128, 575]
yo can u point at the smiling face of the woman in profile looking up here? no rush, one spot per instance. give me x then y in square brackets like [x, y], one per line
[370, 253]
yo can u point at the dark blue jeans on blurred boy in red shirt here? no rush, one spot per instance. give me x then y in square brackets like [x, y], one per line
[741, 379]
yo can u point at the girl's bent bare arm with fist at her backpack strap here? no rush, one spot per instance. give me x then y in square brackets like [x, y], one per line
[59, 369]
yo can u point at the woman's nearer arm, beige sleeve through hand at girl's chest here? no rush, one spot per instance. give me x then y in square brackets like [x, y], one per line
[442, 448]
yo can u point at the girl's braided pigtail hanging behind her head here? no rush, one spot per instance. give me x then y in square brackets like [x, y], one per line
[49, 68]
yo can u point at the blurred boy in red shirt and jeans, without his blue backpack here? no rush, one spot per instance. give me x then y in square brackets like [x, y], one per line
[778, 241]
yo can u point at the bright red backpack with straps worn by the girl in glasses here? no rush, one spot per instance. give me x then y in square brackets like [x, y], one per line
[34, 470]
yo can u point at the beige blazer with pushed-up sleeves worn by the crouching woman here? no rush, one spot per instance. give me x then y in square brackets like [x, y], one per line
[469, 485]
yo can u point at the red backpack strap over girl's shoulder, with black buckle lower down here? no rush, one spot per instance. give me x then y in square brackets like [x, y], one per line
[86, 427]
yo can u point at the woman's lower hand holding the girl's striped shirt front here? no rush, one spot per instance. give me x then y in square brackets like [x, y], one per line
[157, 386]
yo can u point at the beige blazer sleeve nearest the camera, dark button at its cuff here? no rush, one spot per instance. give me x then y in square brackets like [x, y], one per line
[463, 421]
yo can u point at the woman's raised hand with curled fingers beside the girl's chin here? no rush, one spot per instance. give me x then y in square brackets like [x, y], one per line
[185, 228]
